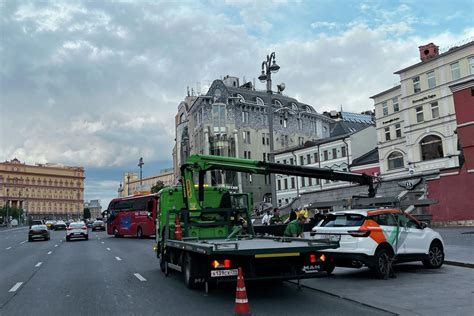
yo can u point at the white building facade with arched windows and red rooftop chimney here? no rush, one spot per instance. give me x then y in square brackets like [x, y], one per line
[416, 120]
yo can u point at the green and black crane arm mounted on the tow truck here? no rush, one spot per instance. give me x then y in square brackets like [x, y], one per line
[203, 163]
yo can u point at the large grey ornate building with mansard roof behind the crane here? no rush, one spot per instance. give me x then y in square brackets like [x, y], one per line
[232, 120]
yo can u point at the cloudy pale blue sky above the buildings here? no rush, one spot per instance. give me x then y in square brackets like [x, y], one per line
[97, 83]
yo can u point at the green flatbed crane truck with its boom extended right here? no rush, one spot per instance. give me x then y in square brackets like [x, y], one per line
[215, 234]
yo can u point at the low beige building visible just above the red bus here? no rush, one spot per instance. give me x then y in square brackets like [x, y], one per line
[133, 185]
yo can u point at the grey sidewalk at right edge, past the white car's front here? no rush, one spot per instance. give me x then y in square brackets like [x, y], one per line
[459, 245]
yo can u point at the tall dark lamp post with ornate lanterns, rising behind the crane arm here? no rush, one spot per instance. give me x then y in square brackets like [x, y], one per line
[268, 67]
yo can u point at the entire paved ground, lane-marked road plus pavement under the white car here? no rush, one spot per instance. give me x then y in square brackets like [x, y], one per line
[105, 276]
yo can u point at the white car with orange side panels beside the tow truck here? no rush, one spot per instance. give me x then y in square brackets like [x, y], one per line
[376, 237]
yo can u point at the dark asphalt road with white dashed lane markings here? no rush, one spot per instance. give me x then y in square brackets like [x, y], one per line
[109, 276]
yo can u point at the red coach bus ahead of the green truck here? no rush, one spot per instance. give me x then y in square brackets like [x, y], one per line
[132, 216]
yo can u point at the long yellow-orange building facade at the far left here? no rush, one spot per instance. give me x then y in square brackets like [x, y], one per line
[42, 190]
